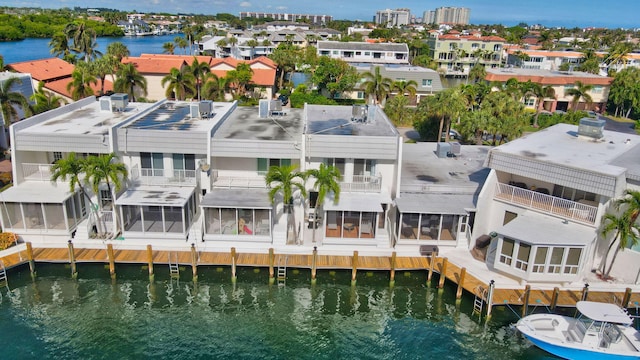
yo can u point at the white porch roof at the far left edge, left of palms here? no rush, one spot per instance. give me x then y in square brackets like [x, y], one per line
[37, 192]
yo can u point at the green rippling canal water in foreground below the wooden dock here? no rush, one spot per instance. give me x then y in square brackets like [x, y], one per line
[92, 317]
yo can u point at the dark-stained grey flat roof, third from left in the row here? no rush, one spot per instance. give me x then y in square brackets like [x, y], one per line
[245, 123]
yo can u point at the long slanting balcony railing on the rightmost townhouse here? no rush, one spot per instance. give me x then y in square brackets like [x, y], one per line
[546, 203]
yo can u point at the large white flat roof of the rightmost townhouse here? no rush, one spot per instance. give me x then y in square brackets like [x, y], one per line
[560, 144]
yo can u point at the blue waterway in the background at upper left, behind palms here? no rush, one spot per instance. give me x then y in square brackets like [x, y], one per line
[35, 49]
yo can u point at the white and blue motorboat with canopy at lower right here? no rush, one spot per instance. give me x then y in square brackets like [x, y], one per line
[602, 331]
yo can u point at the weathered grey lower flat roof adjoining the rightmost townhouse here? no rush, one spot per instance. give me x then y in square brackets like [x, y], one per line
[423, 171]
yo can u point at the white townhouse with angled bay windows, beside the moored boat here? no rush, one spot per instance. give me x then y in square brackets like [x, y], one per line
[539, 212]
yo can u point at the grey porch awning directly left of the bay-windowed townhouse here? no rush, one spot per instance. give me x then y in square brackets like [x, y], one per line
[457, 204]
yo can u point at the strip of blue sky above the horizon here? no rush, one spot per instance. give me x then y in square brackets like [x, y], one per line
[611, 13]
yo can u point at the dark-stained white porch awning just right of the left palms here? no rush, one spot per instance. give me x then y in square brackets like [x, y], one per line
[156, 196]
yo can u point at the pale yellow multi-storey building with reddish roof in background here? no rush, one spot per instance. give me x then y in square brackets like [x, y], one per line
[456, 53]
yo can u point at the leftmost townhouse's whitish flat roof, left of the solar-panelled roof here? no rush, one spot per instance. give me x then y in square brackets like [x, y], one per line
[86, 120]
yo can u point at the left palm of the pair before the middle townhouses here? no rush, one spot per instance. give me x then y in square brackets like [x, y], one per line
[285, 180]
